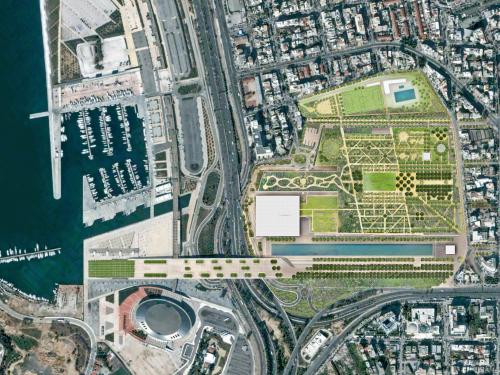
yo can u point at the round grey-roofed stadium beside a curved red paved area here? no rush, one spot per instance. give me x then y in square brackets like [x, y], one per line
[164, 318]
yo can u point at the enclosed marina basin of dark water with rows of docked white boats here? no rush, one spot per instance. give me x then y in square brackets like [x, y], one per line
[113, 147]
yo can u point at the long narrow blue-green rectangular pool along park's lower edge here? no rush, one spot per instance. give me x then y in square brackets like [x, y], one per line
[340, 249]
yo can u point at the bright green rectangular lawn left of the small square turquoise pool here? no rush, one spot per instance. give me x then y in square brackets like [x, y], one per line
[363, 100]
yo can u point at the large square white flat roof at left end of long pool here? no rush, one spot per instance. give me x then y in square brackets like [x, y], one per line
[277, 215]
